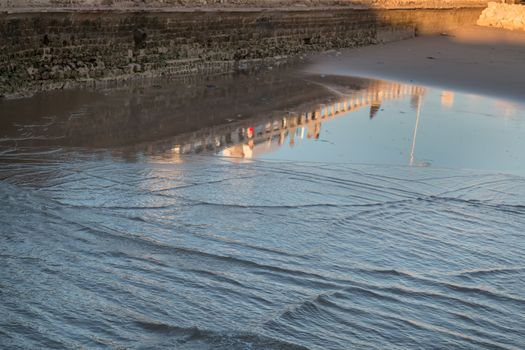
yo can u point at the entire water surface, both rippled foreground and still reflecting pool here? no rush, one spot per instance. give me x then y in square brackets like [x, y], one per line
[393, 222]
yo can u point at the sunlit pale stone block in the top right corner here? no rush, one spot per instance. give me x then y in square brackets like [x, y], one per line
[506, 16]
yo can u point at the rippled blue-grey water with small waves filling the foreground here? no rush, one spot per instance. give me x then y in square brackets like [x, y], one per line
[208, 254]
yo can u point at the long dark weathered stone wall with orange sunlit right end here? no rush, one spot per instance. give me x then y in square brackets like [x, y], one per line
[53, 50]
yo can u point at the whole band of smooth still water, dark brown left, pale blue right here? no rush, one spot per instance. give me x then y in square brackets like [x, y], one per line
[276, 115]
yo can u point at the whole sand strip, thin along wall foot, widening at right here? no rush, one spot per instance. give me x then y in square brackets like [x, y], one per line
[483, 66]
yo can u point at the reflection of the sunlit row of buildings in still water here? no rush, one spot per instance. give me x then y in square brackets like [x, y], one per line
[245, 140]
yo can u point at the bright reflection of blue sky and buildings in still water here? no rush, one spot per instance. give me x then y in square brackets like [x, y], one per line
[405, 125]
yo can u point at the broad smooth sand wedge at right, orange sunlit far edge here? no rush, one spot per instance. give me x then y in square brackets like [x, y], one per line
[480, 60]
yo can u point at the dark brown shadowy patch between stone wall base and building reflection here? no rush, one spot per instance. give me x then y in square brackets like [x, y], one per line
[136, 112]
